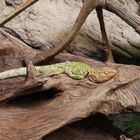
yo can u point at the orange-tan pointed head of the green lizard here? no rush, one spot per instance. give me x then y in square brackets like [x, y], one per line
[100, 75]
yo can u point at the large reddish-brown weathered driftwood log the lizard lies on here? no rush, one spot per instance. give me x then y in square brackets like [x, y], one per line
[60, 100]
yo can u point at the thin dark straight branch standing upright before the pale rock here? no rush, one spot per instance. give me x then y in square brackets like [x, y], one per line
[105, 42]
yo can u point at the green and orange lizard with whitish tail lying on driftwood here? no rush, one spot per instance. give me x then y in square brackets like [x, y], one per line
[75, 70]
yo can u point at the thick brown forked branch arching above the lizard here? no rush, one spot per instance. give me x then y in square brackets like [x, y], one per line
[114, 6]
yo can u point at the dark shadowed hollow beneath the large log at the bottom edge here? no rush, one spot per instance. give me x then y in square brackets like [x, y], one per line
[84, 130]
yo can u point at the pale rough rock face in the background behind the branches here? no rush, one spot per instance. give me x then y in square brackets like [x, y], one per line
[43, 25]
